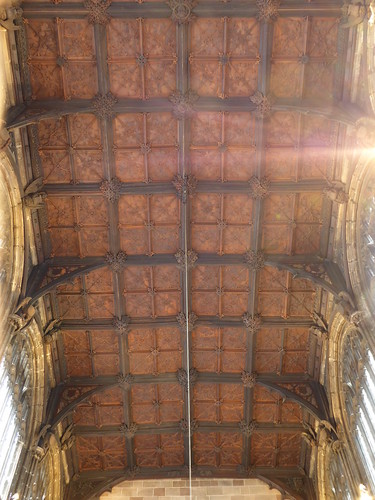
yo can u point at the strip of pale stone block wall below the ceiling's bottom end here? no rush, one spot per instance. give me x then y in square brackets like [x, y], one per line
[203, 489]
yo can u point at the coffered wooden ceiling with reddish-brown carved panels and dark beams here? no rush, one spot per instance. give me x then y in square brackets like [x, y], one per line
[156, 129]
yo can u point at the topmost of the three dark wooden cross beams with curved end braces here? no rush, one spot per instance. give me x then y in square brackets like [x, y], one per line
[33, 112]
